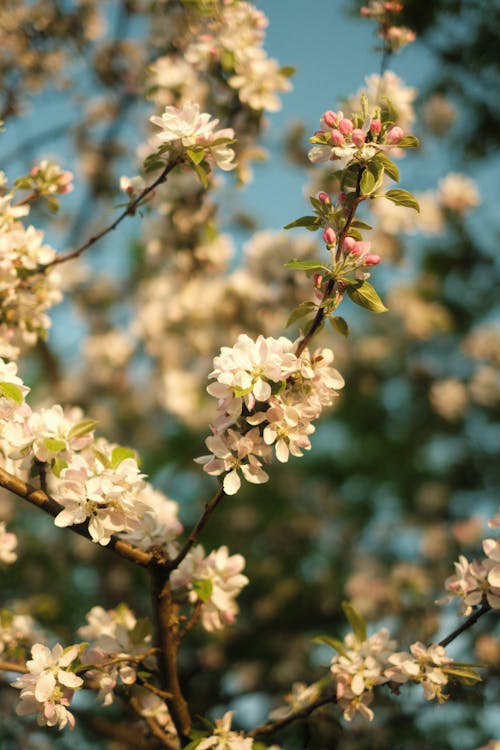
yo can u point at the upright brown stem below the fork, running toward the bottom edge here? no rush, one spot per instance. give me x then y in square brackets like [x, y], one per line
[166, 630]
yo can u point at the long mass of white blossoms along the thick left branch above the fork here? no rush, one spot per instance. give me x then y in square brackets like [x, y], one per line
[93, 481]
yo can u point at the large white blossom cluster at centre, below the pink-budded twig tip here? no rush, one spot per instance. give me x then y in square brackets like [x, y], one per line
[267, 396]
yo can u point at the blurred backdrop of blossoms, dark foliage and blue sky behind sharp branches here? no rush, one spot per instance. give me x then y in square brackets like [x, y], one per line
[404, 471]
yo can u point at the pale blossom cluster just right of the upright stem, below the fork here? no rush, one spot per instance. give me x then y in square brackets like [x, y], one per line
[214, 580]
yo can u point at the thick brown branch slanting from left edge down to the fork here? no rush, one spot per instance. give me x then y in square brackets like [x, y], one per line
[42, 500]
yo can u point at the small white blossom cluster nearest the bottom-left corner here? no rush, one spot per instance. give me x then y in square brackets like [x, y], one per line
[49, 686]
